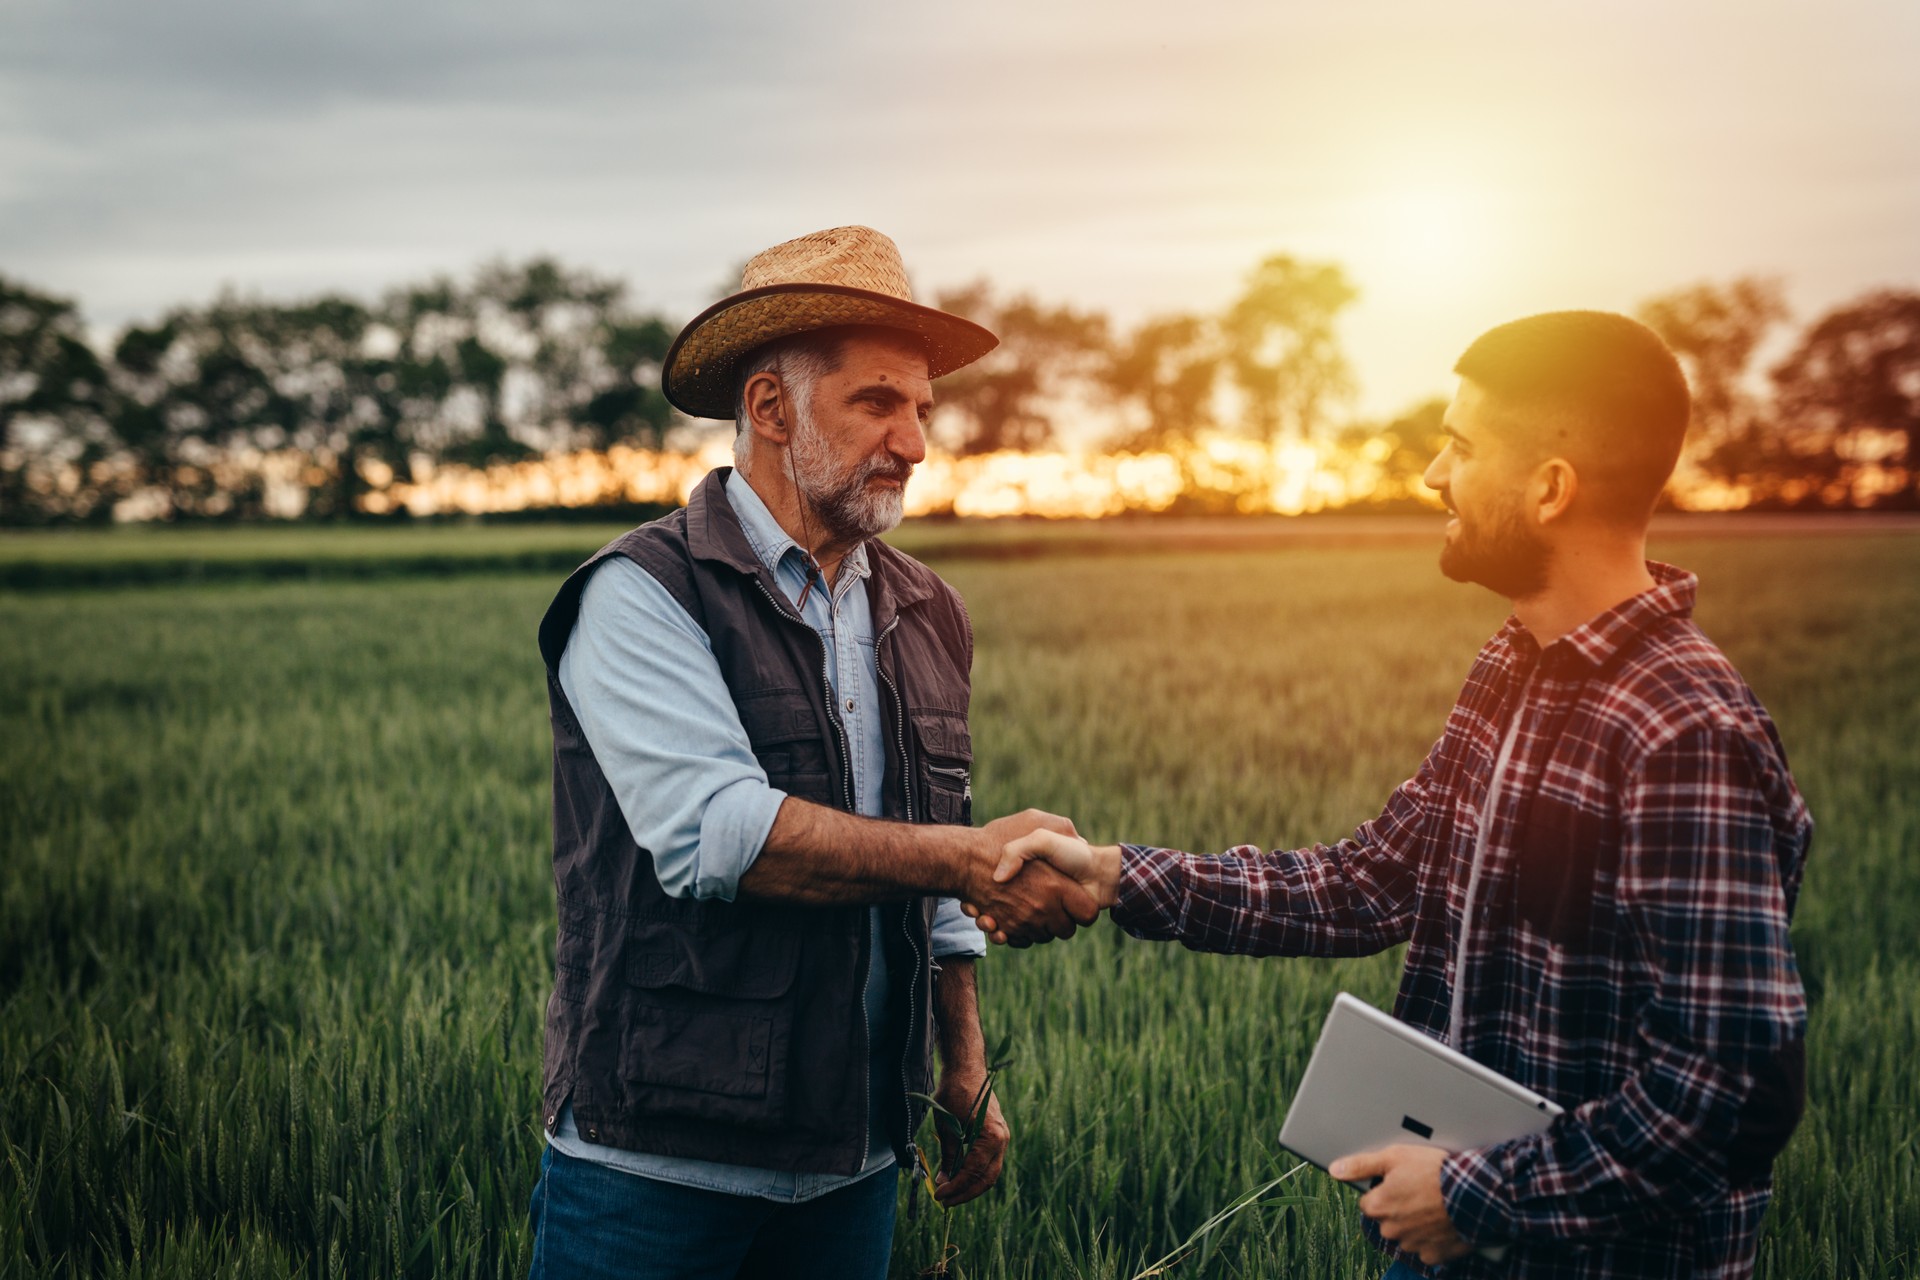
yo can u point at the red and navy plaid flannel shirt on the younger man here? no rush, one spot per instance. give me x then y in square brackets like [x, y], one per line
[1629, 943]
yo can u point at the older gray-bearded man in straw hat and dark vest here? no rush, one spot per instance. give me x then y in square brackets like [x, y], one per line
[761, 788]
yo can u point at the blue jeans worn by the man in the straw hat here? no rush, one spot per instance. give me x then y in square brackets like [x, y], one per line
[606, 1225]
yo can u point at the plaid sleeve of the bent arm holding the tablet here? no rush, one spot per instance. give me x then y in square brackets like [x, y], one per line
[1719, 1043]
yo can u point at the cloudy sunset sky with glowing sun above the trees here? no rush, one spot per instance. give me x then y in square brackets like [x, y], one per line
[1466, 162]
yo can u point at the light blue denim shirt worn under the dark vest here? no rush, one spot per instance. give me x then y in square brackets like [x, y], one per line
[650, 698]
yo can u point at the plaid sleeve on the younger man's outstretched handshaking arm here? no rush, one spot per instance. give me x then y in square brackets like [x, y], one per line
[1349, 899]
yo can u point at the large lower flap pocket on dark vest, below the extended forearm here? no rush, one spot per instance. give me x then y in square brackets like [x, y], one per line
[709, 1024]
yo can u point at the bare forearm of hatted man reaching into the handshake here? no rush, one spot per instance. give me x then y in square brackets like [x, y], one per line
[823, 857]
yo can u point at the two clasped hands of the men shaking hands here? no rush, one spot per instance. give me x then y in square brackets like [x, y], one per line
[1036, 880]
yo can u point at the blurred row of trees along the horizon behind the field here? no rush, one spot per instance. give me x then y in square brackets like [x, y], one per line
[249, 408]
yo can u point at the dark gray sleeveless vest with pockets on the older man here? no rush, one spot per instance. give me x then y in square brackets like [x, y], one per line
[734, 1031]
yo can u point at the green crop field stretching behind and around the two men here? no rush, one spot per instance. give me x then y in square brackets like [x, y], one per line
[276, 909]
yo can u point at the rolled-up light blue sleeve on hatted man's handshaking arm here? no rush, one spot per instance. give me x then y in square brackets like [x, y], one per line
[644, 684]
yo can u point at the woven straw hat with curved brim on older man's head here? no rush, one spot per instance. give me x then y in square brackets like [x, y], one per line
[850, 275]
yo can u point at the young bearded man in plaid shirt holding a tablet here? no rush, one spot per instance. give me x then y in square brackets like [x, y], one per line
[1595, 866]
